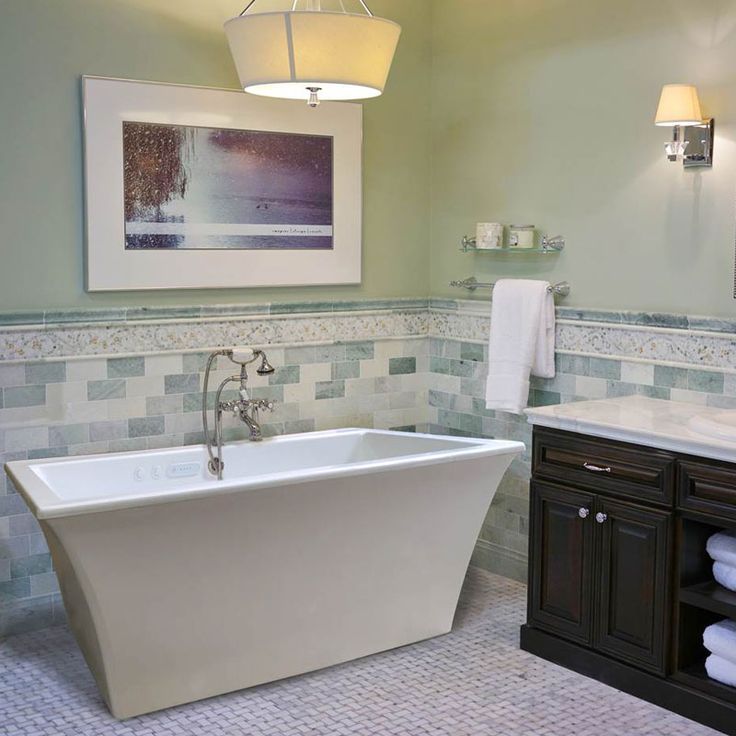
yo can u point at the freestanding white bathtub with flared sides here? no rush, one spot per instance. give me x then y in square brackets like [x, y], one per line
[315, 549]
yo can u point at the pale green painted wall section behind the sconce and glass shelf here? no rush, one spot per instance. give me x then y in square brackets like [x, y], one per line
[543, 113]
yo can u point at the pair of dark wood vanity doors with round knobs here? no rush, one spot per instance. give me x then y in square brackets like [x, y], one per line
[599, 573]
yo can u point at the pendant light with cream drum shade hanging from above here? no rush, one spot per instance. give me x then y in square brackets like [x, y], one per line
[307, 53]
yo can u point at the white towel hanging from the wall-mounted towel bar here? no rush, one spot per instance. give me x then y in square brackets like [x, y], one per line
[522, 342]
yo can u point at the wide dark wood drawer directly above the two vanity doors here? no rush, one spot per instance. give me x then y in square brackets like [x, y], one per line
[604, 466]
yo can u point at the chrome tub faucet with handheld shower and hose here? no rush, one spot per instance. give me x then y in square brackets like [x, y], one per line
[244, 407]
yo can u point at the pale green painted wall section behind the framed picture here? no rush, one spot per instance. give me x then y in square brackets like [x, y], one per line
[45, 45]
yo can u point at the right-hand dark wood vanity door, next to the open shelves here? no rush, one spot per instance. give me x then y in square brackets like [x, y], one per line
[633, 583]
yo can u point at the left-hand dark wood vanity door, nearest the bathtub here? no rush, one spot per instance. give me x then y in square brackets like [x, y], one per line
[561, 561]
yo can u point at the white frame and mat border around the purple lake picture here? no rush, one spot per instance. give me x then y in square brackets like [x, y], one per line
[110, 266]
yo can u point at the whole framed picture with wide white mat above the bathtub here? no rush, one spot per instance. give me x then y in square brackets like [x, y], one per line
[197, 188]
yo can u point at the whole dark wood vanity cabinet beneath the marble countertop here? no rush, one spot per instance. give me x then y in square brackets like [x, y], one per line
[620, 584]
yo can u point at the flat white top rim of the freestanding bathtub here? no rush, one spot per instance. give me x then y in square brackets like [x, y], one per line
[45, 504]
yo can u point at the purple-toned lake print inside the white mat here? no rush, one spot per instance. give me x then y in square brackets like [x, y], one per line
[195, 187]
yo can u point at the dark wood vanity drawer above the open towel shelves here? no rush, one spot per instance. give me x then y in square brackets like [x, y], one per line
[707, 486]
